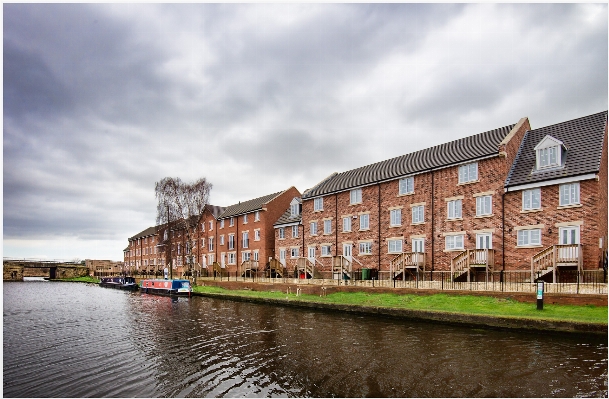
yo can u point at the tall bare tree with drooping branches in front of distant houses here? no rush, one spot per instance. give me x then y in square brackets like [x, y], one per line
[180, 206]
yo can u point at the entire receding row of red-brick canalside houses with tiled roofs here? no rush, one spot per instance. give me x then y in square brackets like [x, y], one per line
[512, 198]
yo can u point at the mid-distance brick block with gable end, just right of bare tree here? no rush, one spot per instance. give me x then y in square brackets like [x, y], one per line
[246, 237]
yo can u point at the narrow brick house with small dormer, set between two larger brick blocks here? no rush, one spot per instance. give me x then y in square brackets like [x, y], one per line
[289, 236]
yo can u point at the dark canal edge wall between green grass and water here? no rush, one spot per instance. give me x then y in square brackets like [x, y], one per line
[497, 322]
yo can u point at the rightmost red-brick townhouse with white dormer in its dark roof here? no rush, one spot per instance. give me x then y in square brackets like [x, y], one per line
[556, 200]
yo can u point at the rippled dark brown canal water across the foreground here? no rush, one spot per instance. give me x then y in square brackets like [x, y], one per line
[80, 340]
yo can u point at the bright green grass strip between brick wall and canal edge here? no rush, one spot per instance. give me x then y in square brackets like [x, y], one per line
[468, 305]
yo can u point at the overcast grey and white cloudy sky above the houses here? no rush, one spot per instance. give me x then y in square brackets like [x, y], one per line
[101, 101]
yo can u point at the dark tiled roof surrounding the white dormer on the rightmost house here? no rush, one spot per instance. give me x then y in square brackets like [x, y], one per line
[583, 138]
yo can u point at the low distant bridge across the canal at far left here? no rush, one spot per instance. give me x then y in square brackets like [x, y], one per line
[17, 269]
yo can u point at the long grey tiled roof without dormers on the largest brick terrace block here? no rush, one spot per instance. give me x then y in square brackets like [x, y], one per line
[457, 151]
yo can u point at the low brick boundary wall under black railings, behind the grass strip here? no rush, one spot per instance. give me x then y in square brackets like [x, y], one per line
[529, 297]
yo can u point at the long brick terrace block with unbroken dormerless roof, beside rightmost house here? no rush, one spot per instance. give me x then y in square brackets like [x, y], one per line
[414, 212]
